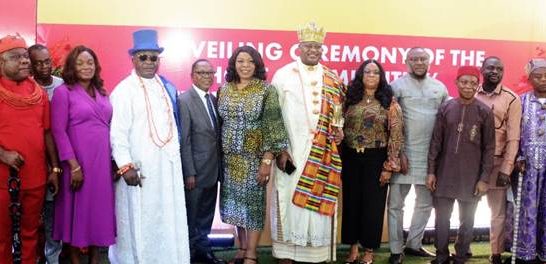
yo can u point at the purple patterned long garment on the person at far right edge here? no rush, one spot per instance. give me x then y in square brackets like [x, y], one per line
[532, 223]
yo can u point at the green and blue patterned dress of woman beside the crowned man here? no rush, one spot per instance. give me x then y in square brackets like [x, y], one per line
[252, 125]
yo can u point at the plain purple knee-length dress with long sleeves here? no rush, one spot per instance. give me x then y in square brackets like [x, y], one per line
[81, 128]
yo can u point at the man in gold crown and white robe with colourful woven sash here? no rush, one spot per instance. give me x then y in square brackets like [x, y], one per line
[305, 200]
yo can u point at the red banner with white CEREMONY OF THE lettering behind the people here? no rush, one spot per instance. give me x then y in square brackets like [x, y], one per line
[342, 52]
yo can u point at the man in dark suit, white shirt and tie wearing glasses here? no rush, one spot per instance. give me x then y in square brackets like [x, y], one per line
[201, 159]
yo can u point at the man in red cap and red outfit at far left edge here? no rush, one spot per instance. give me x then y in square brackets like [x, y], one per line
[24, 138]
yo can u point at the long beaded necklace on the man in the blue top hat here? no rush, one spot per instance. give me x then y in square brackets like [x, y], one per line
[153, 134]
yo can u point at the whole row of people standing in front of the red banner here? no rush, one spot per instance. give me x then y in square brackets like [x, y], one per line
[138, 170]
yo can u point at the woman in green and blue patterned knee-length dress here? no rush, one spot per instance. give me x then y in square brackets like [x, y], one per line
[253, 134]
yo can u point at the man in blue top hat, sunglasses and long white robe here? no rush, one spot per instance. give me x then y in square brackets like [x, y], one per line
[150, 202]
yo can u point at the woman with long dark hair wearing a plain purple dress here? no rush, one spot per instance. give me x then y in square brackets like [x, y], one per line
[80, 114]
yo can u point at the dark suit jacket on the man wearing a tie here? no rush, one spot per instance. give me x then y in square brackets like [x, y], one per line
[200, 146]
